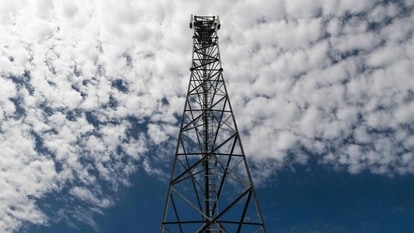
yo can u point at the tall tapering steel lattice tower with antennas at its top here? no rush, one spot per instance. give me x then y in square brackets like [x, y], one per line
[210, 190]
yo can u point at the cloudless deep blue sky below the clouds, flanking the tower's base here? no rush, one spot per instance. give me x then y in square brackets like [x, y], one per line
[307, 199]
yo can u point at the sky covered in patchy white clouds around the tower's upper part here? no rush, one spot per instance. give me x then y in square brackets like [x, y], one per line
[91, 91]
